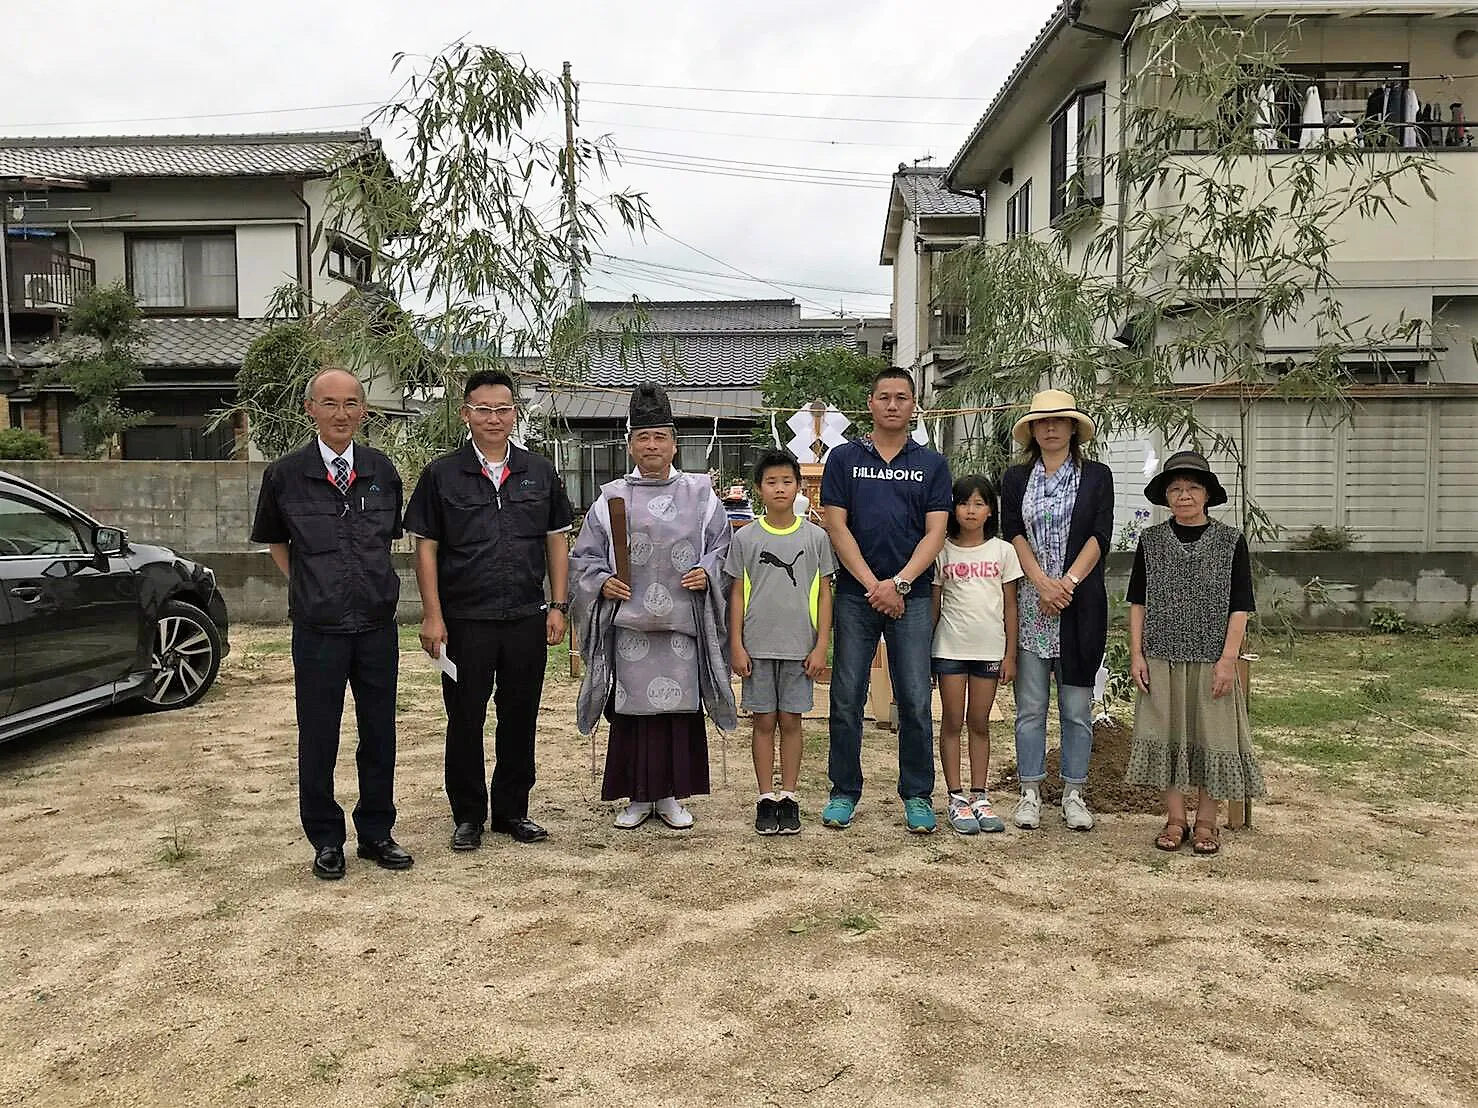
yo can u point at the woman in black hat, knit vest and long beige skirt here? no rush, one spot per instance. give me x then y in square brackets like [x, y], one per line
[1191, 598]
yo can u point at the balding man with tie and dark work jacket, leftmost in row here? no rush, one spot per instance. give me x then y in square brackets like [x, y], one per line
[329, 513]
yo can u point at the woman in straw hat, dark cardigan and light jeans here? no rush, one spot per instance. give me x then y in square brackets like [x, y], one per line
[1058, 512]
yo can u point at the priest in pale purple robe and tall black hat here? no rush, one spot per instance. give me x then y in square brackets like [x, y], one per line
[653, 623]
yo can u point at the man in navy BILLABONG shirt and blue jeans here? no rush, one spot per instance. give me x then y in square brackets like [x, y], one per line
[888, 502]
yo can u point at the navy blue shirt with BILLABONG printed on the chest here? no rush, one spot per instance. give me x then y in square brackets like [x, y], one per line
[888, 505]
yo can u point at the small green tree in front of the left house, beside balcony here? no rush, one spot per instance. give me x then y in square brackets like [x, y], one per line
[100, 358]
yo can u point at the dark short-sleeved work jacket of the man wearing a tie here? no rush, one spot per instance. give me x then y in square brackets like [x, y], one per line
[341, 577]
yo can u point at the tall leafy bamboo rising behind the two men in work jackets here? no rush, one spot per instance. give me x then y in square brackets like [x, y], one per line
[474, 237]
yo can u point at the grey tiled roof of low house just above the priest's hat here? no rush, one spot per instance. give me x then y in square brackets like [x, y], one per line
[713, 360]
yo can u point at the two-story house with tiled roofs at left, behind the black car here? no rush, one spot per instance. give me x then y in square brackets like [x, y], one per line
[202, 230]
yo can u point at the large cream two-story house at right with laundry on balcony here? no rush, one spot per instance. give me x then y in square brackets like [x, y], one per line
[1400, 471]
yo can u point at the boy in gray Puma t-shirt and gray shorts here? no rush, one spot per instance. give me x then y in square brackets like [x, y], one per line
[780, 629]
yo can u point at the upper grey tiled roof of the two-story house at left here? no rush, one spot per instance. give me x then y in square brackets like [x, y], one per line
[183, 156]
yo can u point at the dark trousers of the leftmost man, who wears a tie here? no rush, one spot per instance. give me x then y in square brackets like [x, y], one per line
[323, 666]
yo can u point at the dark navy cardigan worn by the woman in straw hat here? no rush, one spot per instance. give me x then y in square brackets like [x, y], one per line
[1086, 621]
